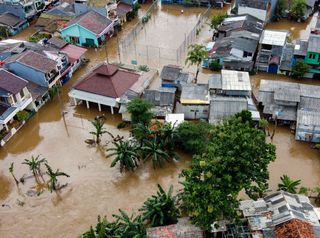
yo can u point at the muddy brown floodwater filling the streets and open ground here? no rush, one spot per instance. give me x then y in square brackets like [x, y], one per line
[93, 187]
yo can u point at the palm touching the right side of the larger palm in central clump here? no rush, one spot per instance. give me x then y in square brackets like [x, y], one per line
[154, 149]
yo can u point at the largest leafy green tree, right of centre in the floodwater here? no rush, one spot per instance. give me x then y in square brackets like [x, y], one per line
[237, 158]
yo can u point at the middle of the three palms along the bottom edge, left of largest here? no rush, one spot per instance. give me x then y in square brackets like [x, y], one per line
[130, 226]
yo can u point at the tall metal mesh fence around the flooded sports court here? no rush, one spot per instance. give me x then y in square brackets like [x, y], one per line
[157, 56]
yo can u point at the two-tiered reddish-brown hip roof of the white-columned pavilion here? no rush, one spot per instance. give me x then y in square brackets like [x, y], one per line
[108, 80]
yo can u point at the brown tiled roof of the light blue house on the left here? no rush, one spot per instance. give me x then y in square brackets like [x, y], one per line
[37, 61]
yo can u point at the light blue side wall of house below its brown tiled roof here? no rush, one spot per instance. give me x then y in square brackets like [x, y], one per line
[27, 73]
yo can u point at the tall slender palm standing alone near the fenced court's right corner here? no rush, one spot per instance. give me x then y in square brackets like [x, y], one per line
[196, 54]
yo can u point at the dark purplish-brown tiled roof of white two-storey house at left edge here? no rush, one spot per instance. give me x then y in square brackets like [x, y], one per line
[10, 82]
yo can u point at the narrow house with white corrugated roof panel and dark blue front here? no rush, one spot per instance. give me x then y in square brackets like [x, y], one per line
[270, 51]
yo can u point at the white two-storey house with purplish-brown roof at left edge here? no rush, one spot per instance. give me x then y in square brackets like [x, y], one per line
[14, 97]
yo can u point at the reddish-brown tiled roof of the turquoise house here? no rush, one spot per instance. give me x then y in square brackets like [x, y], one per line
[92, 21]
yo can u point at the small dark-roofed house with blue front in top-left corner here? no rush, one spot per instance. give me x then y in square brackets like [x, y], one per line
[12, 23]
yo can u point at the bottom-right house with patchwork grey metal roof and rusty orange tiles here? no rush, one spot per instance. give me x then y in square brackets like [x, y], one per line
[281, 214]
